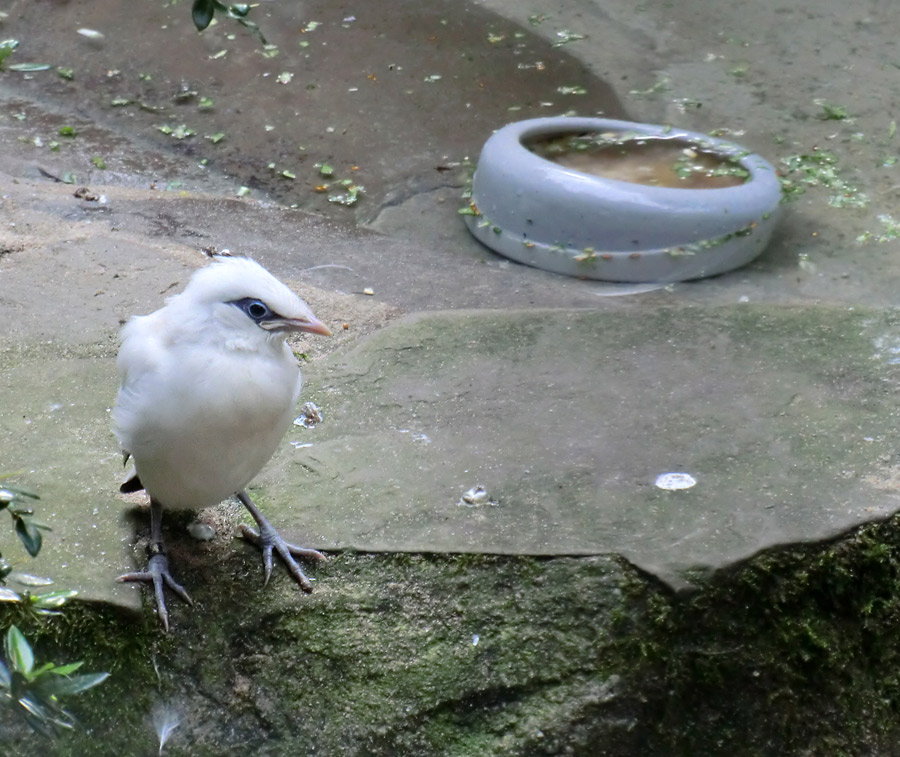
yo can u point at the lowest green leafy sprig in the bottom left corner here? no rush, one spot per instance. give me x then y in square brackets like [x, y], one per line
[34, 693]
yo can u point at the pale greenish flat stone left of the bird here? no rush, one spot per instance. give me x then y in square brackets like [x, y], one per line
[55, 435]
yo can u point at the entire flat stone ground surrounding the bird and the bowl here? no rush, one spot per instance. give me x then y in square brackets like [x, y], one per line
[774, 386]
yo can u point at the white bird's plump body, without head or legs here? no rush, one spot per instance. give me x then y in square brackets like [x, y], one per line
[201, 417]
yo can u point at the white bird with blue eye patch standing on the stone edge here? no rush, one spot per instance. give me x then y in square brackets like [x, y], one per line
[207, 390]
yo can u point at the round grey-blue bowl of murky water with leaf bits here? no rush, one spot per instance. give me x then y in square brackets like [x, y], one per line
[717, 214]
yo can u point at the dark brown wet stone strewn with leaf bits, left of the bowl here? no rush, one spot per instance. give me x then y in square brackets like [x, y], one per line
[294, 120]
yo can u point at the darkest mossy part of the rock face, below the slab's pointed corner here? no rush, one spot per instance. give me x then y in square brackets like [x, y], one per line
[793, 652]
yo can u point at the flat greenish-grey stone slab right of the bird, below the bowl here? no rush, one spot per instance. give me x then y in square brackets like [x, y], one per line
[784, 416]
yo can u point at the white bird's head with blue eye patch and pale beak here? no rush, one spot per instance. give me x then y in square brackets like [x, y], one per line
[242, 295]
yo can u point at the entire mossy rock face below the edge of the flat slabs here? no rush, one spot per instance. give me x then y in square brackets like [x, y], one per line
[792, 652]
